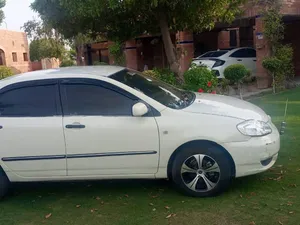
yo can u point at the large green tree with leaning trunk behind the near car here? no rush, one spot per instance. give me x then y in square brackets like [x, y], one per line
[122, 20]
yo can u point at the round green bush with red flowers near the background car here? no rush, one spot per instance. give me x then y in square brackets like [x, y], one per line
[200, 78]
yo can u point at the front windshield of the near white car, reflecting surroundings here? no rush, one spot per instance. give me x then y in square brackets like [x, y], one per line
[167, 95]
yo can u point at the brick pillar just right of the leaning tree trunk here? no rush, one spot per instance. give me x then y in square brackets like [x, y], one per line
[185, 43]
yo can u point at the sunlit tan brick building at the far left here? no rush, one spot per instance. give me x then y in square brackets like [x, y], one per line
[14, 51]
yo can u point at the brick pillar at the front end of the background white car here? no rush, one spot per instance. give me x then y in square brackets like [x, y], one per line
[264, 80]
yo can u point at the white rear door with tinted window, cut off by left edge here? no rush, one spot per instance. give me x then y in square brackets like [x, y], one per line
[31, 132]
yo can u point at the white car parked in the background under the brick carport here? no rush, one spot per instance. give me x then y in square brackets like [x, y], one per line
[218, 61]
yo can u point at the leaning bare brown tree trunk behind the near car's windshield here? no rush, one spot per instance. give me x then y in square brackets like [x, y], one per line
[169, 47]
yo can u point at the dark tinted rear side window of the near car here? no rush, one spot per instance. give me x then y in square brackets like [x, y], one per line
[37, 101]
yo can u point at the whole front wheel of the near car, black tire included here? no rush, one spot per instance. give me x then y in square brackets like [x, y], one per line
[201, 171]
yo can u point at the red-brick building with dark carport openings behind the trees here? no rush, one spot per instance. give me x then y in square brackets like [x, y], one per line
[247, 31]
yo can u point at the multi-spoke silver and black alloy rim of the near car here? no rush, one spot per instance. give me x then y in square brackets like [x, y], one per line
[200, 173]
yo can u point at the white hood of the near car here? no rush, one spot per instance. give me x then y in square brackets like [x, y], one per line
[226, 106]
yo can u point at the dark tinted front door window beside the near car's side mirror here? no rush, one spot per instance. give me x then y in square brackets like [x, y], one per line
[89, 99]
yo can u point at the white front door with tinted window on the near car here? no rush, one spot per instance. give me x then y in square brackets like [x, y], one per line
[102, 137]
